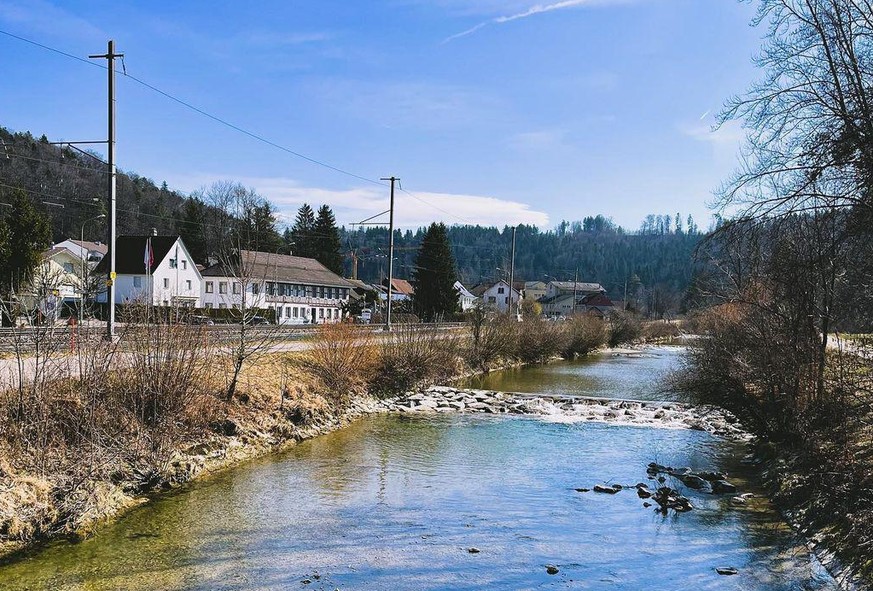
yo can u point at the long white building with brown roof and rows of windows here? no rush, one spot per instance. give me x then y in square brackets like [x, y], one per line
[300, 290]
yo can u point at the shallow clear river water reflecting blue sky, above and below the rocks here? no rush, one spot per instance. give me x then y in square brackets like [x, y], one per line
[396, 502]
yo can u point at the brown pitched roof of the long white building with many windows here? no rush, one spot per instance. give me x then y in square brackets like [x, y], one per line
[280, 267]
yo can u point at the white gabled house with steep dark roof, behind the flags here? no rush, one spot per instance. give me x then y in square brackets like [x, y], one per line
[172, 279]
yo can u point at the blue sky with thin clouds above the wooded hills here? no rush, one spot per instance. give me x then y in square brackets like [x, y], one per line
[492, 112]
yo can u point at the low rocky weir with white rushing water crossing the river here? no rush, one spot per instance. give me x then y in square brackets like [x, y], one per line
[669, 415]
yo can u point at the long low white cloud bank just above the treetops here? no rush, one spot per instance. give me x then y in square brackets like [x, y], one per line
[356, 204]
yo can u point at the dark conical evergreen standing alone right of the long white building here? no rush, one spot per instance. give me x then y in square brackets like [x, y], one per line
[434, 276]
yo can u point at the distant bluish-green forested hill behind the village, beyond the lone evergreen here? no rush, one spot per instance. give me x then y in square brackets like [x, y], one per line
[657, 256]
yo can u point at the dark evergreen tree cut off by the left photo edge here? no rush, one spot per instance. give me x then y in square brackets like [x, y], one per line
[27, 232]
